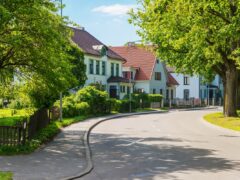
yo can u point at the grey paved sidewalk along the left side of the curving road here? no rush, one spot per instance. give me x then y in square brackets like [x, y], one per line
[64, 157]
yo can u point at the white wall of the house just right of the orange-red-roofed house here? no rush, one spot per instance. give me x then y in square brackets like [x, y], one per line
[193, 86]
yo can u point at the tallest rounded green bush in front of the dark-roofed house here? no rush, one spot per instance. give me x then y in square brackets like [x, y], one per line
[95, 98]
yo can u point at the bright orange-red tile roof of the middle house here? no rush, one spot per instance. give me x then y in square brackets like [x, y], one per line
[138, 57]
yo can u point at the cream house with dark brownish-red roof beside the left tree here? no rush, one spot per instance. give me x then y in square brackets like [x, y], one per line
[103, 65]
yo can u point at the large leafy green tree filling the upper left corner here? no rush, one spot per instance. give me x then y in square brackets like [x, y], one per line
[36, 47]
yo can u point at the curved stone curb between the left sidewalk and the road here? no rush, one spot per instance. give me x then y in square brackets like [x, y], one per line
[90, 166]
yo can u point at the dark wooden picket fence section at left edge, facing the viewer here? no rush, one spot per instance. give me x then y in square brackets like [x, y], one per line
[13, 135]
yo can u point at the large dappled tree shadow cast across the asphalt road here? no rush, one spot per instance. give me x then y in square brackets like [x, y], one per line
[117, 157]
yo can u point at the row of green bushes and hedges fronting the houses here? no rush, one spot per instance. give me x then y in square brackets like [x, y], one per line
[91, 100]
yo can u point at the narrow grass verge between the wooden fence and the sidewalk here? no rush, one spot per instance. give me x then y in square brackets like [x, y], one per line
[43, 136]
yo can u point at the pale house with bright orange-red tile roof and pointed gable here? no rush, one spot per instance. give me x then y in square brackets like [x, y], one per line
[147, 72]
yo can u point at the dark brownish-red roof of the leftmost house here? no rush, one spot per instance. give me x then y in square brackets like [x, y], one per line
[86, 42]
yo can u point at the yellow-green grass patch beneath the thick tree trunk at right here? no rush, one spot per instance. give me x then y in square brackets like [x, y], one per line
[219, 120]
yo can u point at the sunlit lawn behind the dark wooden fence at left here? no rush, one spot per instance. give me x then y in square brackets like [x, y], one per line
[9, 117]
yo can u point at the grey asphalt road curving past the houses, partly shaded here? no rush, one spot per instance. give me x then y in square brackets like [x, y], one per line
[171, 146]
